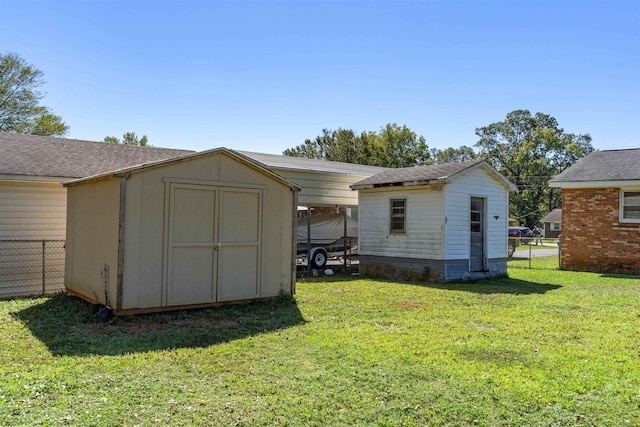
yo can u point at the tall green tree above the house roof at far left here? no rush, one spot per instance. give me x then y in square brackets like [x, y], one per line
[20, 109]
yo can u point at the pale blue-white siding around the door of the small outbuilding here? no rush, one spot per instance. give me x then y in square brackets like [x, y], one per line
[476, 183]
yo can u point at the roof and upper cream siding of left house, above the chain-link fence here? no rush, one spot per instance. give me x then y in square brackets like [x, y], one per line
[32, 168]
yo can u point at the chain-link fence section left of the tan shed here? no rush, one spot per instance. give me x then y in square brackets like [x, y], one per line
[31, 267]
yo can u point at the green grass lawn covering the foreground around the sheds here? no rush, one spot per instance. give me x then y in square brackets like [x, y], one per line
[540, 348]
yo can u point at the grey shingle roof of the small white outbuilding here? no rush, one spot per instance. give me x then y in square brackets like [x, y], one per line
[421, 175]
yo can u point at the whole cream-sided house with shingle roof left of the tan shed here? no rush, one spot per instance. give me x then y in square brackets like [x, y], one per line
[33, 202]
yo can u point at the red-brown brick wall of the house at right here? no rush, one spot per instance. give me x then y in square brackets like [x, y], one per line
[593, 238]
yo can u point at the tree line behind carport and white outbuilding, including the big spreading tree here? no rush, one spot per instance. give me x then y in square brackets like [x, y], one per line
[528, 149]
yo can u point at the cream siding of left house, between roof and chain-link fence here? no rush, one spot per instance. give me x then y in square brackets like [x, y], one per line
[32, 210]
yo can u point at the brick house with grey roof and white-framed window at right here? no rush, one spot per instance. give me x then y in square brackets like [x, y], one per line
[601, 212]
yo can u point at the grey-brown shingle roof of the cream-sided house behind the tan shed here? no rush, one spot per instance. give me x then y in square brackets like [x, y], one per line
[31, 155]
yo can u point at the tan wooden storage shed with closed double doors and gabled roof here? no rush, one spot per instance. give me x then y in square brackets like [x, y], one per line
[196, 230]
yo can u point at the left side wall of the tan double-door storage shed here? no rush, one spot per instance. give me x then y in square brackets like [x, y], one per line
[92, 239]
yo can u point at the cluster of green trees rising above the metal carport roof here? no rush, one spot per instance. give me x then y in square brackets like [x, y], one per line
[393, 146]
